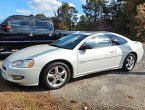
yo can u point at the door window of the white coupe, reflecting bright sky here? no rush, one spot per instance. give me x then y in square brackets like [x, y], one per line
[98, 41]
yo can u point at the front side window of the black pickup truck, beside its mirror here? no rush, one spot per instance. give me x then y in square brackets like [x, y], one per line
[19, 24]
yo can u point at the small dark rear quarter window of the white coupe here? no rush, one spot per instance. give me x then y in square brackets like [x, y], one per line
[116, 40]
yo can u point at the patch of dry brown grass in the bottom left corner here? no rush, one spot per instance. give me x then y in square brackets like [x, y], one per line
[28, 101]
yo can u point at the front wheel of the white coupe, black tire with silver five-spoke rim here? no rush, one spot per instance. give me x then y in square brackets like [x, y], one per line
[55, 75]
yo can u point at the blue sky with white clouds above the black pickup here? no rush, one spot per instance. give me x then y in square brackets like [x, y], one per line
[27, 7]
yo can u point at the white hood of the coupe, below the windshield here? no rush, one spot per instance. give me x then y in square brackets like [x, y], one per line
[33, 51]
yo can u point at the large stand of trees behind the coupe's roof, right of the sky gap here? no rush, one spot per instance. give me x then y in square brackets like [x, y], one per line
[120, 16]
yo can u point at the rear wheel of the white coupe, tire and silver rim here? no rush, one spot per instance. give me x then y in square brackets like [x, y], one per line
[129, 62]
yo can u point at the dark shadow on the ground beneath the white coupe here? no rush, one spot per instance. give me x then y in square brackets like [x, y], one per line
[6, 86]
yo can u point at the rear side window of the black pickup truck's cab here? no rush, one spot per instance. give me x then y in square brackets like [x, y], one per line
[39, 24]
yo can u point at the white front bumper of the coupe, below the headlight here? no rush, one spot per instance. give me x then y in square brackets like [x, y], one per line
[31, 75]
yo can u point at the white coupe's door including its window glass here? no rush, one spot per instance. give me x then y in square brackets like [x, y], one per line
[100, 57]
